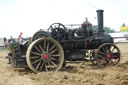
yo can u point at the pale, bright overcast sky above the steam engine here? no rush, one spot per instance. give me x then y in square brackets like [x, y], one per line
[29, 16]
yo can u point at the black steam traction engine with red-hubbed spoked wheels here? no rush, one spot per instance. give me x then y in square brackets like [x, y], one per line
[49, 51]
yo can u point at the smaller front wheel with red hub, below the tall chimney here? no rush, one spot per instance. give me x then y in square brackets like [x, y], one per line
[108, 54]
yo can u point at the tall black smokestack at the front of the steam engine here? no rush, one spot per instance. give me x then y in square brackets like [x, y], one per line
[100, 21]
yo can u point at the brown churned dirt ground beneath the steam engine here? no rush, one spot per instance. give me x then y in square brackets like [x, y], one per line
[73, 74]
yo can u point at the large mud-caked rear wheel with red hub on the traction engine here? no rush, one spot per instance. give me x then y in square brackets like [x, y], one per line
[45, 54]
